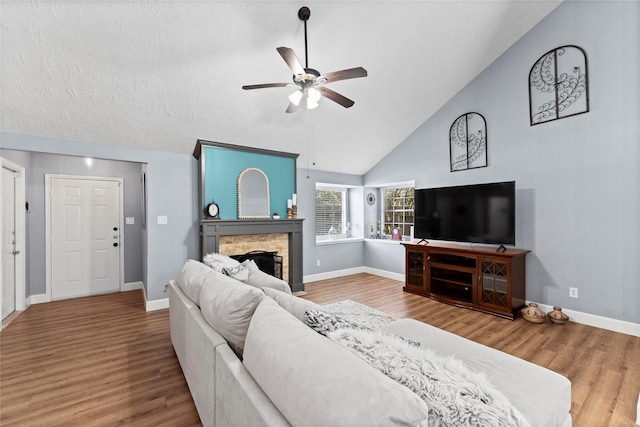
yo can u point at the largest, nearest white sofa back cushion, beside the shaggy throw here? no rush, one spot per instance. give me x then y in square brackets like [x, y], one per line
[316, 382]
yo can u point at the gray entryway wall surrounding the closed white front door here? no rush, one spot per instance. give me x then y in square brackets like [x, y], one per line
[39, 164]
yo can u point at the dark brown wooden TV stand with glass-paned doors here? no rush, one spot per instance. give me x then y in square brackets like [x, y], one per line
[478, 278]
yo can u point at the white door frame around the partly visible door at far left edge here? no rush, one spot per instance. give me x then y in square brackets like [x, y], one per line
[21, 238]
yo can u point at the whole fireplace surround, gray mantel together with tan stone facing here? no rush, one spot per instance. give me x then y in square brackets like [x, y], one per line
[213, 239]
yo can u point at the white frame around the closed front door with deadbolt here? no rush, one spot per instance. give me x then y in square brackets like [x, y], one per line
[47, 226]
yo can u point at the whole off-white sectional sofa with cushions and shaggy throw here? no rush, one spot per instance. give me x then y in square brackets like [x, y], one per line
[252, 355]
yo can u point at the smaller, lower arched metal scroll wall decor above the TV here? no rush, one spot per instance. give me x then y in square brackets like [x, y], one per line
[468, 142]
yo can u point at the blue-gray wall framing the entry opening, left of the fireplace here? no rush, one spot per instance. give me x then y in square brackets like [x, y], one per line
[171, 190]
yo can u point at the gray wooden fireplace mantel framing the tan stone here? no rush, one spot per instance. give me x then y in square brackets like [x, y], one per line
[211, 230]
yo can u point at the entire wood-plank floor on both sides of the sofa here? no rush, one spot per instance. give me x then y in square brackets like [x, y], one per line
[105, 361]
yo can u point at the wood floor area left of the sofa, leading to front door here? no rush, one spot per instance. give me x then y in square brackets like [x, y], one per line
[97, 361]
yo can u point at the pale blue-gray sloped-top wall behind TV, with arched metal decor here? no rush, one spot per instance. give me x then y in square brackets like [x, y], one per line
[577, 179]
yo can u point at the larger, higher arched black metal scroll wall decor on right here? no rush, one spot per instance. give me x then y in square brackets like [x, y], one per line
[558, 85]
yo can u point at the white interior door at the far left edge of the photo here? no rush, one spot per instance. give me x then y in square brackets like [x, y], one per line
[8, 242]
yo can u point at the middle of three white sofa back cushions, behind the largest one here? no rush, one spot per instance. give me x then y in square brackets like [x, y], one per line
[228, 306]
